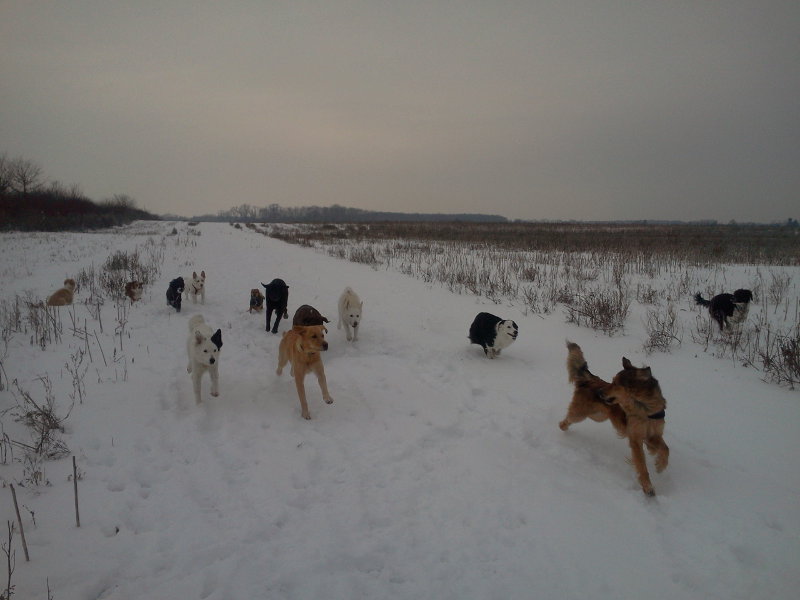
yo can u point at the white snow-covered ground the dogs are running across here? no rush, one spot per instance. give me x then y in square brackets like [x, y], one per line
[436, 473]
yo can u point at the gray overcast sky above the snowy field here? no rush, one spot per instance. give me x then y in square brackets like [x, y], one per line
[595, 109]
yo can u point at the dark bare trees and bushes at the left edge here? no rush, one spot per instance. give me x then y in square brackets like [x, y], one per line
[29, 203]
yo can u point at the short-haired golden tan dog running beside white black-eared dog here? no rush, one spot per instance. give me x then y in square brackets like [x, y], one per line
[301, 346]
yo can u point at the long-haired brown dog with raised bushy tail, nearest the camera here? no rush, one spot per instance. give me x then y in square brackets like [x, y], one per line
[632, 402]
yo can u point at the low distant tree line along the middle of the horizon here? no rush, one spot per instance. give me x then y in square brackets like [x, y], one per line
[275, 213]
